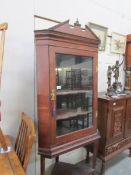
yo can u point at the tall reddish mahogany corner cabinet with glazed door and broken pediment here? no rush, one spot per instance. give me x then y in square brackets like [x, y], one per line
[66, 63]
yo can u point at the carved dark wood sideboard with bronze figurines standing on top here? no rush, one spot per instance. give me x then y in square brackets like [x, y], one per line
[114, 123]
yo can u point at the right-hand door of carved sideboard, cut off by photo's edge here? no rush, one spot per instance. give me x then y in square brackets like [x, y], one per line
[128, 118]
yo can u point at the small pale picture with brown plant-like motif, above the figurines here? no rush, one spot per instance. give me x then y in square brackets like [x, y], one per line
[118, 43]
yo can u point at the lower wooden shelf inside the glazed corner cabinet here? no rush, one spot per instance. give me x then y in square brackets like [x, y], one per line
[65, 114]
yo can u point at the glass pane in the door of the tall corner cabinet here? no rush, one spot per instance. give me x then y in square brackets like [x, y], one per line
[74, 93]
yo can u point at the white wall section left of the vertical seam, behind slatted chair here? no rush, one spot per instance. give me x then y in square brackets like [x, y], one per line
[17, 88]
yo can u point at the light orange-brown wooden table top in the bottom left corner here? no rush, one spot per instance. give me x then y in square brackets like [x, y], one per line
[9, 162]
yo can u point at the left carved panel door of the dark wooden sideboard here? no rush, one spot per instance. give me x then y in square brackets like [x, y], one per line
[116, 121]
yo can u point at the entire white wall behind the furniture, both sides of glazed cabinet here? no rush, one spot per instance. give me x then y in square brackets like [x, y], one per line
[17, 91]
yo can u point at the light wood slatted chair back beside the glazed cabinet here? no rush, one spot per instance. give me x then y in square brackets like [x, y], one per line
[25, 139]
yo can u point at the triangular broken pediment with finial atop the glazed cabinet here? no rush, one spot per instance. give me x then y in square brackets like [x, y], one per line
[75, 29]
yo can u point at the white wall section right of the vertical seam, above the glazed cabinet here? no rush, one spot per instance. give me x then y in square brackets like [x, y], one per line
[105, 13]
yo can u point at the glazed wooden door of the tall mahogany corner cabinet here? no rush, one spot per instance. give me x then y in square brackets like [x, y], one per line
[71, 78]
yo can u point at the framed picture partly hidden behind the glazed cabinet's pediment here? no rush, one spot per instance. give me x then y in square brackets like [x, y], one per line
[101, 33]
